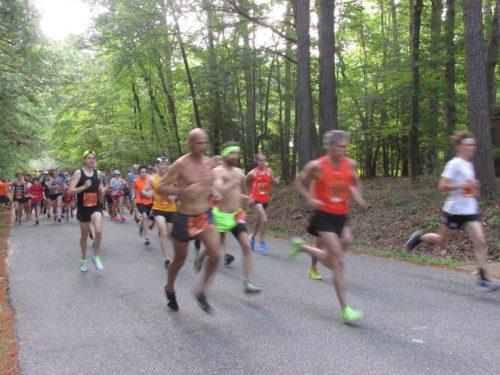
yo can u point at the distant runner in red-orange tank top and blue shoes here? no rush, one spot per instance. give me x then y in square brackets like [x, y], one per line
[259, 180]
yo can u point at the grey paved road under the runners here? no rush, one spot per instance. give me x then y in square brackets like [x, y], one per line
[418, 320]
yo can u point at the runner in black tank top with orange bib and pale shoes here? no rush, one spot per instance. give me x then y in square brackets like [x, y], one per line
[87, 185]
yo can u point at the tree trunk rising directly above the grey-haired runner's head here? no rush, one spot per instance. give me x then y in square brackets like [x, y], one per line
[327, 83]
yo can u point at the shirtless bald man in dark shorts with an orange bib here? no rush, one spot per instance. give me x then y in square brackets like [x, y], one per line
[193, 175]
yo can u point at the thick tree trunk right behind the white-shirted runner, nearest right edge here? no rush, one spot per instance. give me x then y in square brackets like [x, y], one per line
[477, 95]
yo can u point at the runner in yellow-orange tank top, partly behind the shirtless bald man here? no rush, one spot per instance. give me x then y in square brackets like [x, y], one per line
[164, 206]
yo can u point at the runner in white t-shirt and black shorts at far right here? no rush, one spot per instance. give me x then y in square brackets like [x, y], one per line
[460, 209]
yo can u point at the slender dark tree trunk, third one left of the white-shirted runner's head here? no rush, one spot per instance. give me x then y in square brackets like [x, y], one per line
[415, 89]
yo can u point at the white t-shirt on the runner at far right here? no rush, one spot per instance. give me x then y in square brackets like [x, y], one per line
[457, 170]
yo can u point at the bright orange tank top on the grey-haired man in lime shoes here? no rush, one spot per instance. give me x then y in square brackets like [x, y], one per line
[332, 188]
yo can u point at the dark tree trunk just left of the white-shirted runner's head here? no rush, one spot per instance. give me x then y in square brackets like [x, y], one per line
[450, 109]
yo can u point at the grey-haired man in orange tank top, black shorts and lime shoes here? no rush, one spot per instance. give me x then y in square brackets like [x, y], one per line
[335, 181]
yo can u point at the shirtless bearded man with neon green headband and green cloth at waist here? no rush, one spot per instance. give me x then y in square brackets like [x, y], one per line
[229, 185]
